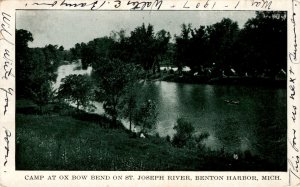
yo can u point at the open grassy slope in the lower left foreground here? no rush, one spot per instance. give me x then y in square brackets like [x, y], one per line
[59, 142]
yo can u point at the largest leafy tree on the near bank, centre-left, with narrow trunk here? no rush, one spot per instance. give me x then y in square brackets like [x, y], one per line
[113, 78]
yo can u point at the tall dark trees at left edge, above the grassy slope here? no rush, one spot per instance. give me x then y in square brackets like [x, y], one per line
[36, 69]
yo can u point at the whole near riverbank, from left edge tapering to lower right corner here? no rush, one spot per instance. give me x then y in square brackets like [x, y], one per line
[57, 141]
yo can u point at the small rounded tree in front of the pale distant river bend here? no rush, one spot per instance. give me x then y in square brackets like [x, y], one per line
[77, 89]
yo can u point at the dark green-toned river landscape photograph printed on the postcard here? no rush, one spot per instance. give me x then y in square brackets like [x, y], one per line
[151, 90]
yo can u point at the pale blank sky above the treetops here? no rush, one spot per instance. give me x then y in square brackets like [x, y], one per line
[67, 28]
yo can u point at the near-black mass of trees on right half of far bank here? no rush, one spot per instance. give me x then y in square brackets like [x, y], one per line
[258, 49]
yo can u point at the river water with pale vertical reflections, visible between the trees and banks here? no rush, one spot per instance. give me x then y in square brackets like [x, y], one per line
[255, 121]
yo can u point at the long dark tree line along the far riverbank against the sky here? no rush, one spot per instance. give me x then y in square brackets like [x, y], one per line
[258, 49]
